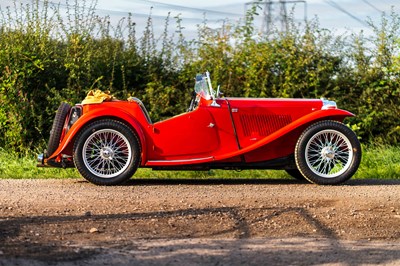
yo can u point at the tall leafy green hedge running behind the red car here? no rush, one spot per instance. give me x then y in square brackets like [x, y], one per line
[46, 58]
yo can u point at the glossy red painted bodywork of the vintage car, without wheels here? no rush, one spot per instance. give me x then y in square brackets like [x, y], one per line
[249, 130]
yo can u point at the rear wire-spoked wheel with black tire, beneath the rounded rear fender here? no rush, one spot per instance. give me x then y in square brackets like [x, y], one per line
[107, 152]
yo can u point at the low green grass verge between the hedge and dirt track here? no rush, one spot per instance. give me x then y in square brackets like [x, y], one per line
[380, 162]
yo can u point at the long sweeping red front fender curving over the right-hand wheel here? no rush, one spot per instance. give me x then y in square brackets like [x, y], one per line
[329, 114]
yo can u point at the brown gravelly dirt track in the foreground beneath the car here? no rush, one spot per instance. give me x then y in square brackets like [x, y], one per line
[275, 222]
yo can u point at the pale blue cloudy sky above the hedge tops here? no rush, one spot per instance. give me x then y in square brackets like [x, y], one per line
[339, 16]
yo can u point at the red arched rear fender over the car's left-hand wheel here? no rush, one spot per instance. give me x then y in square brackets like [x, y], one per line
[97, 114]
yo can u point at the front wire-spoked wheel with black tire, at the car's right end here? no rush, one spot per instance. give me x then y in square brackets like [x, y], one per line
[328, 153]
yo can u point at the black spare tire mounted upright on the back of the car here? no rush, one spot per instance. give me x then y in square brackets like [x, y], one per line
[57, 128]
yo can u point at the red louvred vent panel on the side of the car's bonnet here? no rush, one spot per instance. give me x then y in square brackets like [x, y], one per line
[263, 125]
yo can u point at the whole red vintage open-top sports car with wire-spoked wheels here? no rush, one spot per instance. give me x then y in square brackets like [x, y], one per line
[107, 140]
